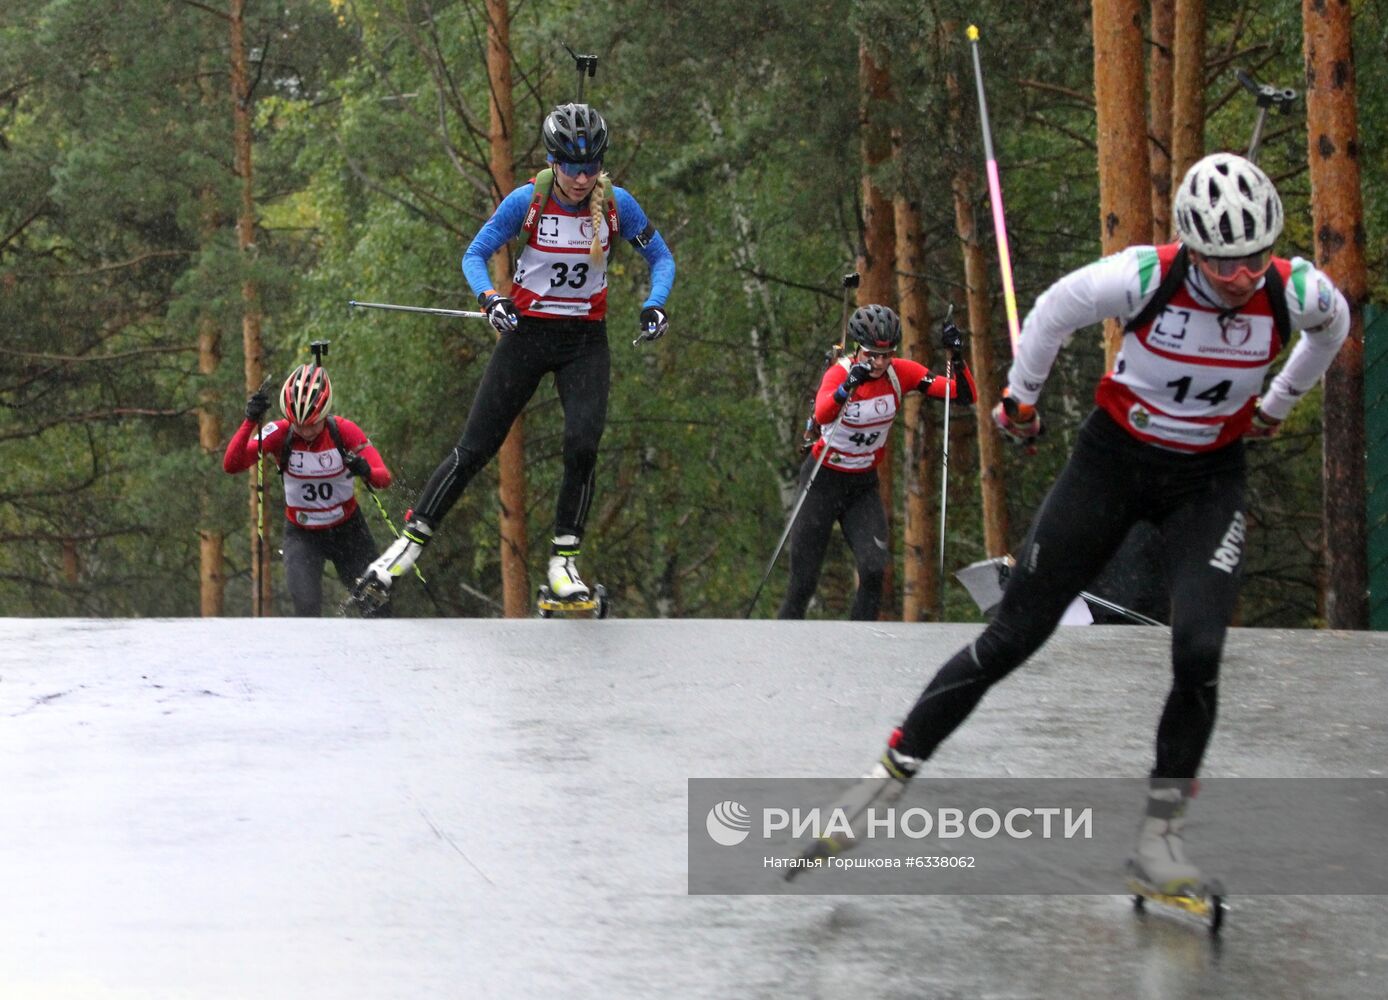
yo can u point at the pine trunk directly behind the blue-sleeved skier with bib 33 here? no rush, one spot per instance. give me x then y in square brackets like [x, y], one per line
[516, 581]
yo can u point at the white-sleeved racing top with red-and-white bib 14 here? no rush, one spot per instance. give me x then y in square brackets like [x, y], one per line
[1192, 378]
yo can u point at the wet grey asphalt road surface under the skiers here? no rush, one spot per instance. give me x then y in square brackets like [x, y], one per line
[491, 809]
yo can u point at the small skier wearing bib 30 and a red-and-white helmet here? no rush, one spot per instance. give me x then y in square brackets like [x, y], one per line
[319, 456]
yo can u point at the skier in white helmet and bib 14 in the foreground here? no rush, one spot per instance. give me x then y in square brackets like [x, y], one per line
[1164, 445]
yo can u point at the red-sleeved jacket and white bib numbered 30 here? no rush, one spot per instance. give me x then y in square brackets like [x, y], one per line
[319, 488]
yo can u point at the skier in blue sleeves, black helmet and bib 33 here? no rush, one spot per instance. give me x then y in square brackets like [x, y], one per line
[553, 320]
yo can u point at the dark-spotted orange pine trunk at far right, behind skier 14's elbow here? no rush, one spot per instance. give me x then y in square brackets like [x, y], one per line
[1337, 206]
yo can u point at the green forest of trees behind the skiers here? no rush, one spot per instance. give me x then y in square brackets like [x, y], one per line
[183, 183]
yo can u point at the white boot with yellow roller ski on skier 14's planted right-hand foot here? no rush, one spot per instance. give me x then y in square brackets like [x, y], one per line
[1160, 872]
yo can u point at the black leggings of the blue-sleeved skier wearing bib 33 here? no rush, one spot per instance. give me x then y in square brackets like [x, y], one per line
[577, 352]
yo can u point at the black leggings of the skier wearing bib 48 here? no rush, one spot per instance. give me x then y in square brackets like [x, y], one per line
[852, 499]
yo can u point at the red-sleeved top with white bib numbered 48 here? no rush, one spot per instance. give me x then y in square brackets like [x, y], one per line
[860, 442]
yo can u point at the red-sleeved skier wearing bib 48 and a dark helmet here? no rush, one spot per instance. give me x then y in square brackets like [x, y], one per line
[864, 390]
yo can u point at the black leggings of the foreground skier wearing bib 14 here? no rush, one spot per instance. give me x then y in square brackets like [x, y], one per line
[1111, 483]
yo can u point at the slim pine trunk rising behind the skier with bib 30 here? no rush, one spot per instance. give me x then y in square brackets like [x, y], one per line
[252, 345]
